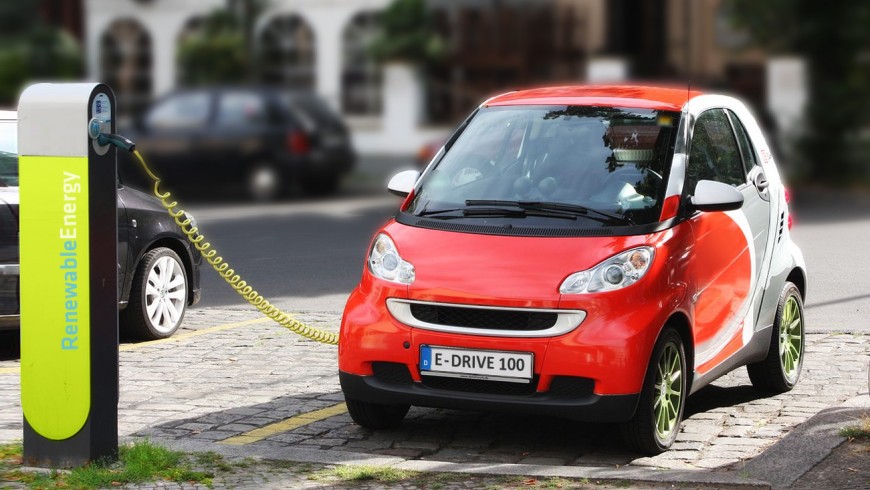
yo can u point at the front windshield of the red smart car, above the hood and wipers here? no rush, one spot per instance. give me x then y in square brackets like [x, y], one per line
[596, 164]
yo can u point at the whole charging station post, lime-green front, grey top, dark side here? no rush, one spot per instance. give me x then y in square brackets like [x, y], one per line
[69, 274]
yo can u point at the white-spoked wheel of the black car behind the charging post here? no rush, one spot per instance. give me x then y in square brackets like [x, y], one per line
[158, 296]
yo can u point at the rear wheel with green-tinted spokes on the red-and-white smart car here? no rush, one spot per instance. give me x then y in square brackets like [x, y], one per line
[780, 370]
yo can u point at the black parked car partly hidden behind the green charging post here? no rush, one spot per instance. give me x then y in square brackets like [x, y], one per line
[158, 269]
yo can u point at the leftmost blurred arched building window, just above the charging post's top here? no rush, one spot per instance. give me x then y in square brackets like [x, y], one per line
[126, 65]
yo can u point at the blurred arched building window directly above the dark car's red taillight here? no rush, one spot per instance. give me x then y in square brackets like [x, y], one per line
[287, 47]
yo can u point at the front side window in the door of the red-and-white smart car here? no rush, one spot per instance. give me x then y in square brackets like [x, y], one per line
[714, 154]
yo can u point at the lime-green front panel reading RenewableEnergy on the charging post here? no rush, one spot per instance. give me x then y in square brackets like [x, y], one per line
[55, 344]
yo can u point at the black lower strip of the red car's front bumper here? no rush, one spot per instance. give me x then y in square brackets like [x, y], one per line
[576, 404]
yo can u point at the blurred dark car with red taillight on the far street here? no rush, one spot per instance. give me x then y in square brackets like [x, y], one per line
[262, 139]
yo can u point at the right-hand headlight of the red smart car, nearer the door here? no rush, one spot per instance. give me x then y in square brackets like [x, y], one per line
[616, 272]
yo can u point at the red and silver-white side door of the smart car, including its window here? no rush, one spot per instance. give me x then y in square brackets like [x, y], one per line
[728, 246]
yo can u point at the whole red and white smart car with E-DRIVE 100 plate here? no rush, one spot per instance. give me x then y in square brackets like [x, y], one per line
[597, 253]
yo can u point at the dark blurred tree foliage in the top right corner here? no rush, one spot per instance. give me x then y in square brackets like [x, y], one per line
[834, 38]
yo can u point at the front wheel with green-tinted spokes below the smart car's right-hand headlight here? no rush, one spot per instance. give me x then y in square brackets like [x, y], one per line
[656, 423]
